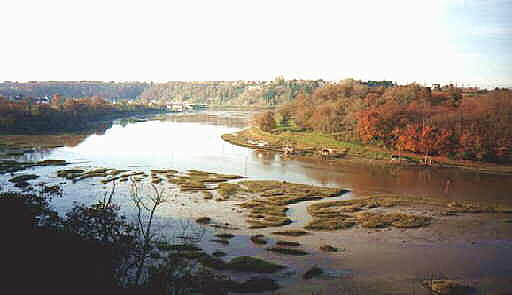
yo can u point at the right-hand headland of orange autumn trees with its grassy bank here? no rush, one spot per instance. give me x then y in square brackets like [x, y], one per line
[441, 126]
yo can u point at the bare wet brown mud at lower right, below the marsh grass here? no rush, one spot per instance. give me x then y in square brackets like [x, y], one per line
[471, 247]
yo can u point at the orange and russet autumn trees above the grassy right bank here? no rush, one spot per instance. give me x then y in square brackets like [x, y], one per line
[413, 118]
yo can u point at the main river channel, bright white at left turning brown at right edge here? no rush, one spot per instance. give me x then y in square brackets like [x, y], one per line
[190, 142]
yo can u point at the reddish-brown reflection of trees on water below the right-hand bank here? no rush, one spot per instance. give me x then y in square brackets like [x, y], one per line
[448, 183]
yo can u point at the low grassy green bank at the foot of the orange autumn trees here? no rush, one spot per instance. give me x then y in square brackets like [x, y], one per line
[310, 145]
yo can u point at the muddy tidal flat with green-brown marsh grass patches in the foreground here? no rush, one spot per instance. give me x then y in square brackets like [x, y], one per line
[467, 241]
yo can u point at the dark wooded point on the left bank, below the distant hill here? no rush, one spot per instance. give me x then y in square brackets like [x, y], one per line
[61, 115]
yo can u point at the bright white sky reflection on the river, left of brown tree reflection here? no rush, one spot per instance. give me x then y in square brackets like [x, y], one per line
[181, 146]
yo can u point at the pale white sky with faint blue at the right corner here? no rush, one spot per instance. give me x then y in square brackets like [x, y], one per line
[435, 41]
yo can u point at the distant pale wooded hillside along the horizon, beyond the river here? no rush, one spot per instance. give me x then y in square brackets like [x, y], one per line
[275, 92]
